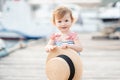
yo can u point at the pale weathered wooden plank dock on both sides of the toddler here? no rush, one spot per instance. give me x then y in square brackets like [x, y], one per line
[100, 58]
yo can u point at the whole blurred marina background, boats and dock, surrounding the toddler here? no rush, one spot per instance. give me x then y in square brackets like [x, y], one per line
[25, 27]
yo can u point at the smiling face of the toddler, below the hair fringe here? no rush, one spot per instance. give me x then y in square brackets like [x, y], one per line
[64, 23]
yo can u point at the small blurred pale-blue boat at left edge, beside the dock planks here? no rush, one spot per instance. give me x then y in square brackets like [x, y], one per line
[7, 47]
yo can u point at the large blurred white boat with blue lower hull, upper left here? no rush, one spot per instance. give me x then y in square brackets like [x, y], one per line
[17, 22]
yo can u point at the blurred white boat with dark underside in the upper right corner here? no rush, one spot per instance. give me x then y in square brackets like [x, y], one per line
[110, 13]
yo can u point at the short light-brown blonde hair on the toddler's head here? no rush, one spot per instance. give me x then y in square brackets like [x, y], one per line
[59, 13]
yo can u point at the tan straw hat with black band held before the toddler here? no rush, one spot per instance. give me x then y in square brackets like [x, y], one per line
[63, 64]
